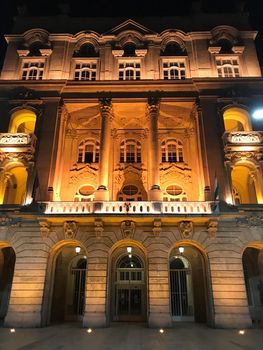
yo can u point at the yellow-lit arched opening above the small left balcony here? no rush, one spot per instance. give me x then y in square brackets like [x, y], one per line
[22, 121]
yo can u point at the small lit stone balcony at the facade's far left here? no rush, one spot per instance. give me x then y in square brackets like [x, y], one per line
[17, 143]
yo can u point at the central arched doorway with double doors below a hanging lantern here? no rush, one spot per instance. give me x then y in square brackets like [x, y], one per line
[129, 301]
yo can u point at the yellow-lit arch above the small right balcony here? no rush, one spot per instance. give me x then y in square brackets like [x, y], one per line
[236, 119]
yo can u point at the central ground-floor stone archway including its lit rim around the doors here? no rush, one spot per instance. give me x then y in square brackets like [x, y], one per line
[127, 296]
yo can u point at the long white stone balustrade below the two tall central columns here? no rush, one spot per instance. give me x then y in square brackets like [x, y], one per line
[129, 208]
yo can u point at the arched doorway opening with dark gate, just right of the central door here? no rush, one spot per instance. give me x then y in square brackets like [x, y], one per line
[188, 285]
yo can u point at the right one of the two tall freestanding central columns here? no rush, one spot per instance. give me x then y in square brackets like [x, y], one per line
[154, 193]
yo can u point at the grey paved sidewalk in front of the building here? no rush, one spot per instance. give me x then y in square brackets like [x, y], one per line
[130, 337]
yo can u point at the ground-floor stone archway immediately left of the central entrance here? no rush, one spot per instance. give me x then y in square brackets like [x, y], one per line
[57, 286]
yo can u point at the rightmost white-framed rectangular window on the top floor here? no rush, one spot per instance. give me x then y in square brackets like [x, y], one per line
[227, 67]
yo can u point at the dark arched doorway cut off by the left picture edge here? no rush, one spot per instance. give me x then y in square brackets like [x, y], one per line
[7, 264]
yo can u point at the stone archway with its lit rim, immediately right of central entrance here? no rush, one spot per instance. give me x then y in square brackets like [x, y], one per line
[197, 305]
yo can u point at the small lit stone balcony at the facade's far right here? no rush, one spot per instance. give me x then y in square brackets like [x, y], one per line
[243, 144]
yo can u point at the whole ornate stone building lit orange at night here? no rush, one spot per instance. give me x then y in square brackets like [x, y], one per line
[131, 165]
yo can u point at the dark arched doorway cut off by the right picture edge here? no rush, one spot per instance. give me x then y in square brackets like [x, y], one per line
[253, 273]
